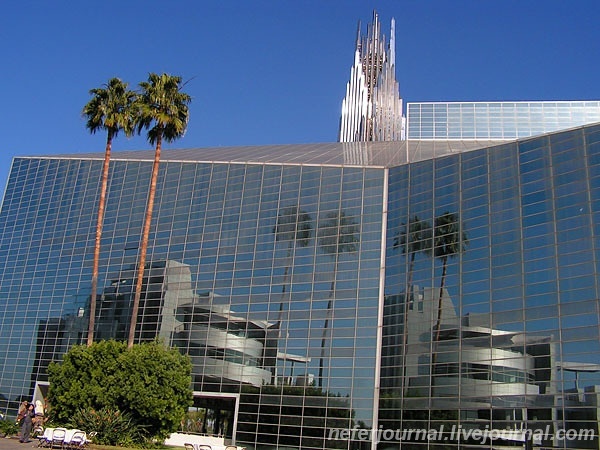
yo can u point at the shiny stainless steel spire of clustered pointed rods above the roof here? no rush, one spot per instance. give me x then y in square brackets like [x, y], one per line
[372, 108]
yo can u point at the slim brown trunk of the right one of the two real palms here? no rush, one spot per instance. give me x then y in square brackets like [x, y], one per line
[145, 238]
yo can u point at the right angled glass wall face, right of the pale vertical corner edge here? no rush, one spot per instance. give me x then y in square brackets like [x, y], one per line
[491, 316]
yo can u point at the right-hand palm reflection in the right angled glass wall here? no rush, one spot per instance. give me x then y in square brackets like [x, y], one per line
[449, 239]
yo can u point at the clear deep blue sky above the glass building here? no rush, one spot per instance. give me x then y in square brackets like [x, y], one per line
[271, 72]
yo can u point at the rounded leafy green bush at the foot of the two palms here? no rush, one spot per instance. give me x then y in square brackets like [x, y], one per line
[149, 383]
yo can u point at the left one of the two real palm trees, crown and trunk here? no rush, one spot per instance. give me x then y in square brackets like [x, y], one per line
[108, 110]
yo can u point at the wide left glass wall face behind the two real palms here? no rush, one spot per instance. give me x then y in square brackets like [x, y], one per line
[268, 276]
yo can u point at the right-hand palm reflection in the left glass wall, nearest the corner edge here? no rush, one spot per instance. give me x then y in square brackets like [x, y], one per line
[337, 235]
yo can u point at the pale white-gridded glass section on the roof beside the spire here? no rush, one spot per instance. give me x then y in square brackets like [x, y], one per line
[496, 120]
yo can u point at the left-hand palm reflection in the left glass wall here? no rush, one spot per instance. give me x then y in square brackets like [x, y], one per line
[294, 227]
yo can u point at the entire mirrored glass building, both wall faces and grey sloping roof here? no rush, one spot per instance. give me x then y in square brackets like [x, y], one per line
[456, 294]
